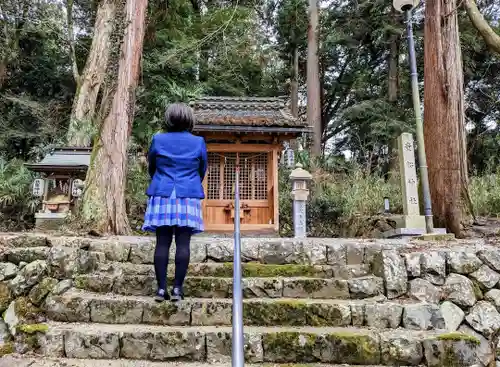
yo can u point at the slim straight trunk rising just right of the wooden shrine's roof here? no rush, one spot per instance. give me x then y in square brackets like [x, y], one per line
[313, 84]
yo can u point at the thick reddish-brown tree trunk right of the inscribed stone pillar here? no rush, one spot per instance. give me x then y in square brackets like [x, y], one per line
[444, 126]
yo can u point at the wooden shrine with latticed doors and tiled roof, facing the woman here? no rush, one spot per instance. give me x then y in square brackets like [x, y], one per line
[250, 131]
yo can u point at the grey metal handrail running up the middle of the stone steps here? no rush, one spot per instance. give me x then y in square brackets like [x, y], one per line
[238, 337]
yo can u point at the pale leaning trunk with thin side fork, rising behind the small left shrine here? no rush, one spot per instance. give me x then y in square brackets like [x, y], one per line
[83, 114]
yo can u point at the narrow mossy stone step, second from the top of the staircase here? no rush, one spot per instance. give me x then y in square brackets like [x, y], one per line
[250, 269]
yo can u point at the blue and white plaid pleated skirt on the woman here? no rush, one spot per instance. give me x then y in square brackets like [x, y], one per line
[173, 211]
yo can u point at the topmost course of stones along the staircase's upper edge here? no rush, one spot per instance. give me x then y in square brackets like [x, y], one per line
[140, 250]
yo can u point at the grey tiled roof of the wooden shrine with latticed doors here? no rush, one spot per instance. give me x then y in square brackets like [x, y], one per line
[245, 112]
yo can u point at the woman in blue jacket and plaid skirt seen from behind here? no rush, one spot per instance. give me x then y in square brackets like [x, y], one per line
[177, 166]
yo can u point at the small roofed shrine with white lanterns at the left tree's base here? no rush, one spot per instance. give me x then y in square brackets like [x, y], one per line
[61, 183]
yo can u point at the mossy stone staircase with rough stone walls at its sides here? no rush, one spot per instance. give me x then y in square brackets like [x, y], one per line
[87, 302]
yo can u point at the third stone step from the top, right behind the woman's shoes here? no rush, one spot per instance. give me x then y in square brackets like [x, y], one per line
[217, 287]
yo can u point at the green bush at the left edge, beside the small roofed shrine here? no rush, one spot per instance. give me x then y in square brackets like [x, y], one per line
[17, 205]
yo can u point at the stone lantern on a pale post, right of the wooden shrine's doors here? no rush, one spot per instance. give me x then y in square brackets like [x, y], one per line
[300, 193]
